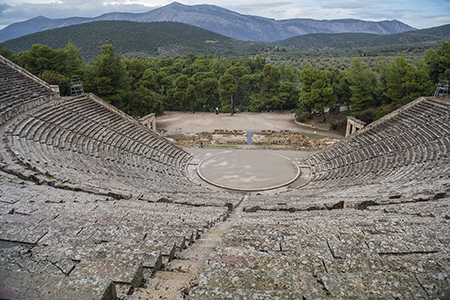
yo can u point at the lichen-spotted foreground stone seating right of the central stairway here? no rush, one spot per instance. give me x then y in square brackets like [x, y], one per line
[339, 254]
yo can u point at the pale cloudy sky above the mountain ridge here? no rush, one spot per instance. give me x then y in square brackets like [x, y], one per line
[416, 13]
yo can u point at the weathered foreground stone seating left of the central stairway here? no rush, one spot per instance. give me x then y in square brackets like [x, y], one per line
[81, 236]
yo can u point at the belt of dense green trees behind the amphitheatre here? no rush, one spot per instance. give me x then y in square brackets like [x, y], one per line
[142, 85]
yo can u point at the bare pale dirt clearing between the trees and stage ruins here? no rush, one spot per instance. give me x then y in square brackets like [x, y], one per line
[202, 121]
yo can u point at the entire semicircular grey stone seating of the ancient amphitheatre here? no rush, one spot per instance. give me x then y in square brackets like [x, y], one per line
[96, 206]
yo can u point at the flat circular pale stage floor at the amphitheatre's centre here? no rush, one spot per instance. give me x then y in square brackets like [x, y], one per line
[248, 170]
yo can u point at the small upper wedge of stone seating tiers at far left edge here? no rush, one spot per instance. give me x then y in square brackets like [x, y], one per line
[20, 90]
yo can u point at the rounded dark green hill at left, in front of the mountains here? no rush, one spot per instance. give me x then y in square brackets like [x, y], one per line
[136, 39]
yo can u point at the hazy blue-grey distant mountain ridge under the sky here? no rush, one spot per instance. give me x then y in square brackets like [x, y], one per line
[218, 20]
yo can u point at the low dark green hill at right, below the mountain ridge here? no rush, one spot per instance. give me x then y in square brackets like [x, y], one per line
[362, 40]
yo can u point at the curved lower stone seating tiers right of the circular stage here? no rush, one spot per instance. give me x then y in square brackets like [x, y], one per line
[405, 152]
